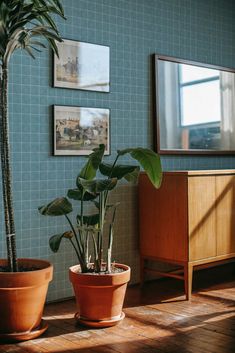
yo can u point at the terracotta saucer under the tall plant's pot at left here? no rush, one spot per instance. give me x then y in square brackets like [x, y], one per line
[24, 336]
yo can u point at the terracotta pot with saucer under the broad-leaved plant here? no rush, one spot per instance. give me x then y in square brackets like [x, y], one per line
[99, 297]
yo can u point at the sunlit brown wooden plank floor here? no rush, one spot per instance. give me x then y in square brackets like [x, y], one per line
[158, 319]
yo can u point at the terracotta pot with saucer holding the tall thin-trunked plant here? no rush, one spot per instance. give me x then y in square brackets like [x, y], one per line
[22, 299]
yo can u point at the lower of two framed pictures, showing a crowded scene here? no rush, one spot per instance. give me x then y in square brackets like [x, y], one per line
[77, 130]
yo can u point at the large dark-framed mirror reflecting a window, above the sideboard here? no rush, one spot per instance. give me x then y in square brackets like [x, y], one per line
[195, 107]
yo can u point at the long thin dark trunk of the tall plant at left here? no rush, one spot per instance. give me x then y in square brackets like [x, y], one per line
[6, 173]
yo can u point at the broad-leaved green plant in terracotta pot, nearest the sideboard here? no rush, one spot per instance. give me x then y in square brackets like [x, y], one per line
[99, 284]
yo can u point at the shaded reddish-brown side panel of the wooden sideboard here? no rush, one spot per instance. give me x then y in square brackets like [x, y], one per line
[163, 218]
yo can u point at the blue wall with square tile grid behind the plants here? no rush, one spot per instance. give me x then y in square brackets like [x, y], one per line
[134, 29]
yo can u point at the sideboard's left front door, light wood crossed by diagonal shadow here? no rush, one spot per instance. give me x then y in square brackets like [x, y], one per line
[202, 222]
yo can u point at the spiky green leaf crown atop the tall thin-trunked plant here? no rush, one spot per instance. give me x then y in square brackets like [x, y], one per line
[23, 21]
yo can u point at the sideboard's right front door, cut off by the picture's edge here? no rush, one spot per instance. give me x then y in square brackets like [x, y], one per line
[225, 214]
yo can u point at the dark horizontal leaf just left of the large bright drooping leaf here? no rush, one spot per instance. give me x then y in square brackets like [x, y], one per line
[119, 171]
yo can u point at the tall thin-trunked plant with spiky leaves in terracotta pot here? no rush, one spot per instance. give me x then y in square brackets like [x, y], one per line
[23, 282]
